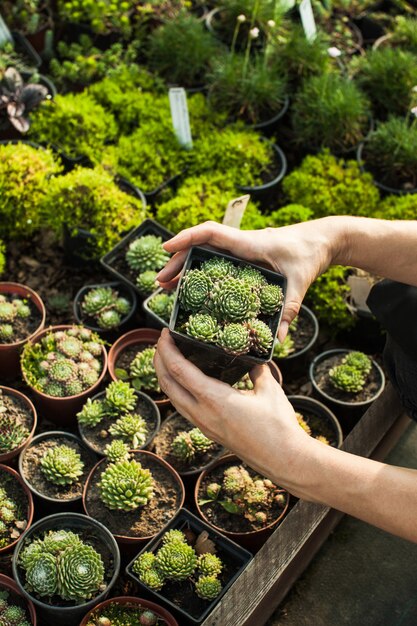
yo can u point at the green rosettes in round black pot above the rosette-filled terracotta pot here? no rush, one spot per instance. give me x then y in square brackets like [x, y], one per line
[106, 307]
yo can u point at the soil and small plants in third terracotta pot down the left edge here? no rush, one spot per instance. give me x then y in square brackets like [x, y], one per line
[13, 509]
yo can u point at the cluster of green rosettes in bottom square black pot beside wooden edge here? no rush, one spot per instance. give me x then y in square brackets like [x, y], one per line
[176, 560]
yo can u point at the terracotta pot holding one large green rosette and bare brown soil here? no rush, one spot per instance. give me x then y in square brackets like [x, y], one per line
[134, 494]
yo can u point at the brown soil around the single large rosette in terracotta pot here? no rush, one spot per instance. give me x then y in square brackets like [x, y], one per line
[145, 521]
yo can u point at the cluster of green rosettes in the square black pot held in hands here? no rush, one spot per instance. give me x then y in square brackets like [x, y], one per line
[225, 303]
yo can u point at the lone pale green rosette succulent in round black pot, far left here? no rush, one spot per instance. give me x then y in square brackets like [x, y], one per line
[62, 465]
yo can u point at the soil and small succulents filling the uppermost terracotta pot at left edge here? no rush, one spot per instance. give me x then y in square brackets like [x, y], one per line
[24, 319]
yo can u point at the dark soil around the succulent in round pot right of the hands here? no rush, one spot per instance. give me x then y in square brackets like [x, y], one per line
[321, 376]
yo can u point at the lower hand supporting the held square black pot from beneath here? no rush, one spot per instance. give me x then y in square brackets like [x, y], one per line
[259, 425]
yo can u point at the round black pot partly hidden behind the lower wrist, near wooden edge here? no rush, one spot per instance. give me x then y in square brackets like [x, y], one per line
[325, 421]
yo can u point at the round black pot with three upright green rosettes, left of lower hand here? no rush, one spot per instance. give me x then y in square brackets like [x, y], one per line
[118, 414]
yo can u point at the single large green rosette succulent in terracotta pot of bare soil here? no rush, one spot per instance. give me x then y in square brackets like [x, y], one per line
[125, 486]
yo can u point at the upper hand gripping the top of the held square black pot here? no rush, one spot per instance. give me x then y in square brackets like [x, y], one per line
[301, 252]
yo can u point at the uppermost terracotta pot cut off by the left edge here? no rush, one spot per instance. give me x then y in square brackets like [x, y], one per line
[10, 352]
